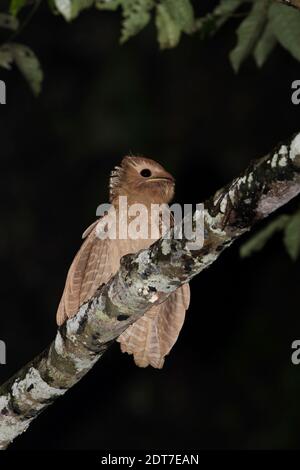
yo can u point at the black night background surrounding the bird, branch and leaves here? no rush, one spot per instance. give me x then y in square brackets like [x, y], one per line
[229, 381]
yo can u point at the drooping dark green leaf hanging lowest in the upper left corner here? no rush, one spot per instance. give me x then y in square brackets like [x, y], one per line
[28, 64]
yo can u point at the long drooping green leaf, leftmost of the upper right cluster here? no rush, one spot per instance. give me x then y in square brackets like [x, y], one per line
[249, 32]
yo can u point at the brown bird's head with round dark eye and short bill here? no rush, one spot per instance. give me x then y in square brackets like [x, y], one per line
[142, 180]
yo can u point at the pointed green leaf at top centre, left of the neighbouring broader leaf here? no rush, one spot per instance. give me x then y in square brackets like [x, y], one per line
[136, 15]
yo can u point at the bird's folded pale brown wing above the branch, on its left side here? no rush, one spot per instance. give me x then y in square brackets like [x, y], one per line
[94, 265]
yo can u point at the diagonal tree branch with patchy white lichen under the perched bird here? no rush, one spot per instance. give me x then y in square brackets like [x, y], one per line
[266, 185]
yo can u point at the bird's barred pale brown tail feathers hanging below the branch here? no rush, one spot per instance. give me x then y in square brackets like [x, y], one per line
[153, 335]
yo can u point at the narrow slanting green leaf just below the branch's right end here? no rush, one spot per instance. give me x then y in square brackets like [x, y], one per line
[259, 240]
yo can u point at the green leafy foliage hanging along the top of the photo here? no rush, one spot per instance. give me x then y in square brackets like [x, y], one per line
[263, 25]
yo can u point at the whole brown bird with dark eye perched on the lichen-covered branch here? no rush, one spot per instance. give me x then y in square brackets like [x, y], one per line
[150, 338]
